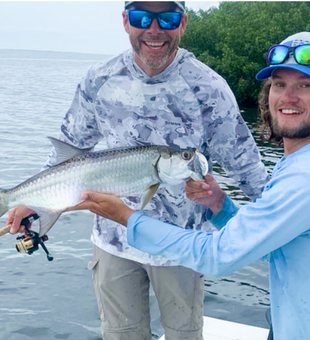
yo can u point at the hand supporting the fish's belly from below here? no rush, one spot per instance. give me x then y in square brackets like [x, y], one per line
[105, 205]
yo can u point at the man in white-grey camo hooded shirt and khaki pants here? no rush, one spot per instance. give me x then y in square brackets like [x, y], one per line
[156, 93]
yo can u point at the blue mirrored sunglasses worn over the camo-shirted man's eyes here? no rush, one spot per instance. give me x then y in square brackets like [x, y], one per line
[165, 20]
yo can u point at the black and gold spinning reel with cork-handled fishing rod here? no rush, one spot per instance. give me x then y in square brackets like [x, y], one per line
[29, 242]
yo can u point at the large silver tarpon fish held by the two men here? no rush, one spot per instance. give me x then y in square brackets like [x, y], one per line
[136, 171]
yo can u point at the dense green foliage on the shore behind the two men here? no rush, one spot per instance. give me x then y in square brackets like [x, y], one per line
[234, 38]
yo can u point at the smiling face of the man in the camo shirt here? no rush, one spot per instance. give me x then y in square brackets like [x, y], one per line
[154, 47]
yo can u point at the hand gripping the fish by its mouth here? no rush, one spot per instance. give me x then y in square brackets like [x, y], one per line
[206, 192]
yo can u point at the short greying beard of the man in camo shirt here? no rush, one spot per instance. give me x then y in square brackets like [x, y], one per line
[155, 60]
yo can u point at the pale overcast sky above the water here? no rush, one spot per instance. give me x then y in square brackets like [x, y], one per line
[68, 26]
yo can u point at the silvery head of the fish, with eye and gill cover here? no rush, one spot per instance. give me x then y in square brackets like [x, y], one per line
[177, 165]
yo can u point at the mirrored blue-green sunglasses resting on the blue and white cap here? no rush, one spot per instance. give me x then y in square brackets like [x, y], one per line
[279, 53]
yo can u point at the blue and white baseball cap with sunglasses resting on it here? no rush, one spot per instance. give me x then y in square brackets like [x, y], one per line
[297, 39]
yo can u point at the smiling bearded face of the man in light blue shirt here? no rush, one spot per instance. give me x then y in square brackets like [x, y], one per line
[289, 103]
